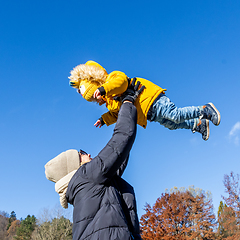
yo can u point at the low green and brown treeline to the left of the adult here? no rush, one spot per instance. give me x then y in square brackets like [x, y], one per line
[44, 228]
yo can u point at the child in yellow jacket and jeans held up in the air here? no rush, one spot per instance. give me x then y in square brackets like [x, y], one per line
[96, 85]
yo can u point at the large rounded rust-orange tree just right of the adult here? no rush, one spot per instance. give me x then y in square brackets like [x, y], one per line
[179, 214]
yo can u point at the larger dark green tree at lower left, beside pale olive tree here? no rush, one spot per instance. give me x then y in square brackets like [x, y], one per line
[26, 228]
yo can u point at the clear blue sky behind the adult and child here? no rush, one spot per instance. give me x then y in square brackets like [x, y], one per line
[191, 48]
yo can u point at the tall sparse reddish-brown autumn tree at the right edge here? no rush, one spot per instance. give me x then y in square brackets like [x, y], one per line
[229, 215]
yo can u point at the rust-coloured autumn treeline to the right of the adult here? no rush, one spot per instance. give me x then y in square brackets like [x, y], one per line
[188, 214]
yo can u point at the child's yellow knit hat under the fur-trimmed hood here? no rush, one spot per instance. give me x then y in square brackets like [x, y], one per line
[87, 89]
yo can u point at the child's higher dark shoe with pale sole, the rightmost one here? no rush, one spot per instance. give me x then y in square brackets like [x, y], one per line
[211, 113]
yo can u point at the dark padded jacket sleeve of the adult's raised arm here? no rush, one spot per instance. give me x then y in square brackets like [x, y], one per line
[107, 163]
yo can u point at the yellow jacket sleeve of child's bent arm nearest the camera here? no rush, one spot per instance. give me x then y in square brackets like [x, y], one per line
[116, 83]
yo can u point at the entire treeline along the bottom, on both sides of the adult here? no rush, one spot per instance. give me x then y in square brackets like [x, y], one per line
[185, 214]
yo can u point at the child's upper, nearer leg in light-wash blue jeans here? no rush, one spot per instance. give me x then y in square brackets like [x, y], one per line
[165, 109]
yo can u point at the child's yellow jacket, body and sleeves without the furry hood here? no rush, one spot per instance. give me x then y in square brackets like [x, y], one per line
[117, 83]
